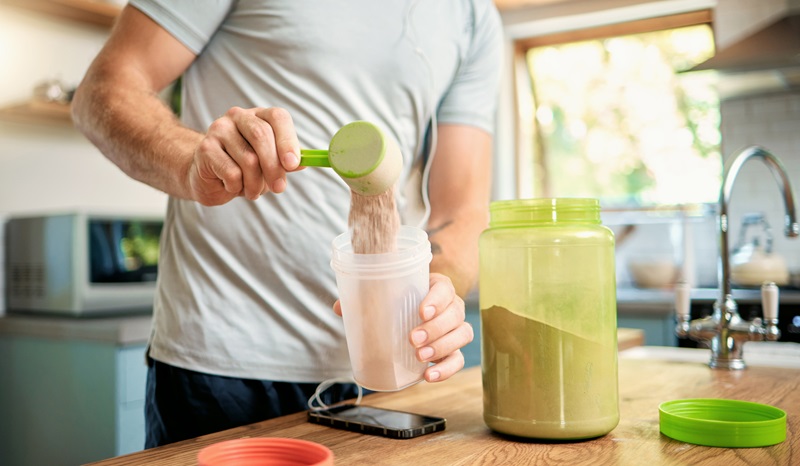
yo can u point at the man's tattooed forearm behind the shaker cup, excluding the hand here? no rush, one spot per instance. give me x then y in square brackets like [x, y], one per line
[460, 189]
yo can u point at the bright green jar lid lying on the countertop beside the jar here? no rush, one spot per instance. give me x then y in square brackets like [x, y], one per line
[722, 423]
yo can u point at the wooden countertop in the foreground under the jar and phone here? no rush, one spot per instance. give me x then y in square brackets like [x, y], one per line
[644, 384]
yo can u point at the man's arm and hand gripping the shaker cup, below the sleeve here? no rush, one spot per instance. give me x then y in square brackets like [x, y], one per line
[460, 181]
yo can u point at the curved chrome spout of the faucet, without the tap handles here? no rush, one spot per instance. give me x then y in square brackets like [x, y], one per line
[781, 176]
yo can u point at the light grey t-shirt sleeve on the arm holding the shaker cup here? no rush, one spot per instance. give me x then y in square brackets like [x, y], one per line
[472, 96]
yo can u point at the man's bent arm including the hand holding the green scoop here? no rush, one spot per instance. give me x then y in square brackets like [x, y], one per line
[245, 152]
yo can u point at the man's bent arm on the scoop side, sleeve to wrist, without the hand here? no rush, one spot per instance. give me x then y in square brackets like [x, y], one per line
[118, 109]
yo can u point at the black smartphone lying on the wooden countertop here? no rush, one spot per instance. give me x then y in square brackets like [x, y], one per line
[377, 421]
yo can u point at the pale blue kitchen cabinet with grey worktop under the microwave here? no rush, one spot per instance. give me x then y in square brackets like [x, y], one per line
[73, 389]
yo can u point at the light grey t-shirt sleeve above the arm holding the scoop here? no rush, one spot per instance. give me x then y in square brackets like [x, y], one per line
[192, 23]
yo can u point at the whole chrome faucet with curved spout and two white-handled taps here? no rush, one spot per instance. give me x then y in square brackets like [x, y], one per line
[724, 330]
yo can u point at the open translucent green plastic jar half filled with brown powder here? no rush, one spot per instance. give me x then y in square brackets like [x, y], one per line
[548, 320]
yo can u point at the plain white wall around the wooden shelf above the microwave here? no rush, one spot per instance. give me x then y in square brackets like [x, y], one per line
[46, 167]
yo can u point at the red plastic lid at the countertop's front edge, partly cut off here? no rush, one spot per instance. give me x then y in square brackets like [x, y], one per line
[265, 451]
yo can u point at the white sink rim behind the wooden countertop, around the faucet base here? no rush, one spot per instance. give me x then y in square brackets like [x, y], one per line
[756, 353]
